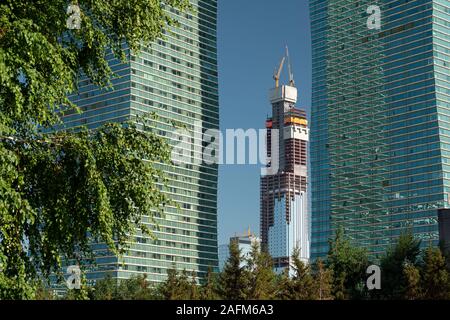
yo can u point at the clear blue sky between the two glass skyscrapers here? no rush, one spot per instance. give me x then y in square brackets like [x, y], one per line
[252, 35]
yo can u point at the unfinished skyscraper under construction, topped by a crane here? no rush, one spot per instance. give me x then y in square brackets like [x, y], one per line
[285, 222]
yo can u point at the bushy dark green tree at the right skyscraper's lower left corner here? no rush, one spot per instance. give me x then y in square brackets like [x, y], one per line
[348, 265]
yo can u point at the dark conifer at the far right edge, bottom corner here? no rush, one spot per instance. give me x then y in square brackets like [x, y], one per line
[435, 276]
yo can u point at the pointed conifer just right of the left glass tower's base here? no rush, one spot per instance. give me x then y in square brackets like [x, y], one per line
[233, 280]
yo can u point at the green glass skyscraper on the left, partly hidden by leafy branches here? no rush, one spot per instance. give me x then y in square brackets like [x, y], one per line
[176, 78]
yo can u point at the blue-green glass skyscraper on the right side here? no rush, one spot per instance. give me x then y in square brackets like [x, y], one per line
[380, 131]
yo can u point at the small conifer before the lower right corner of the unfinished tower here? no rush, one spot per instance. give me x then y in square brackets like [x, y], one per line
[302, 279]
